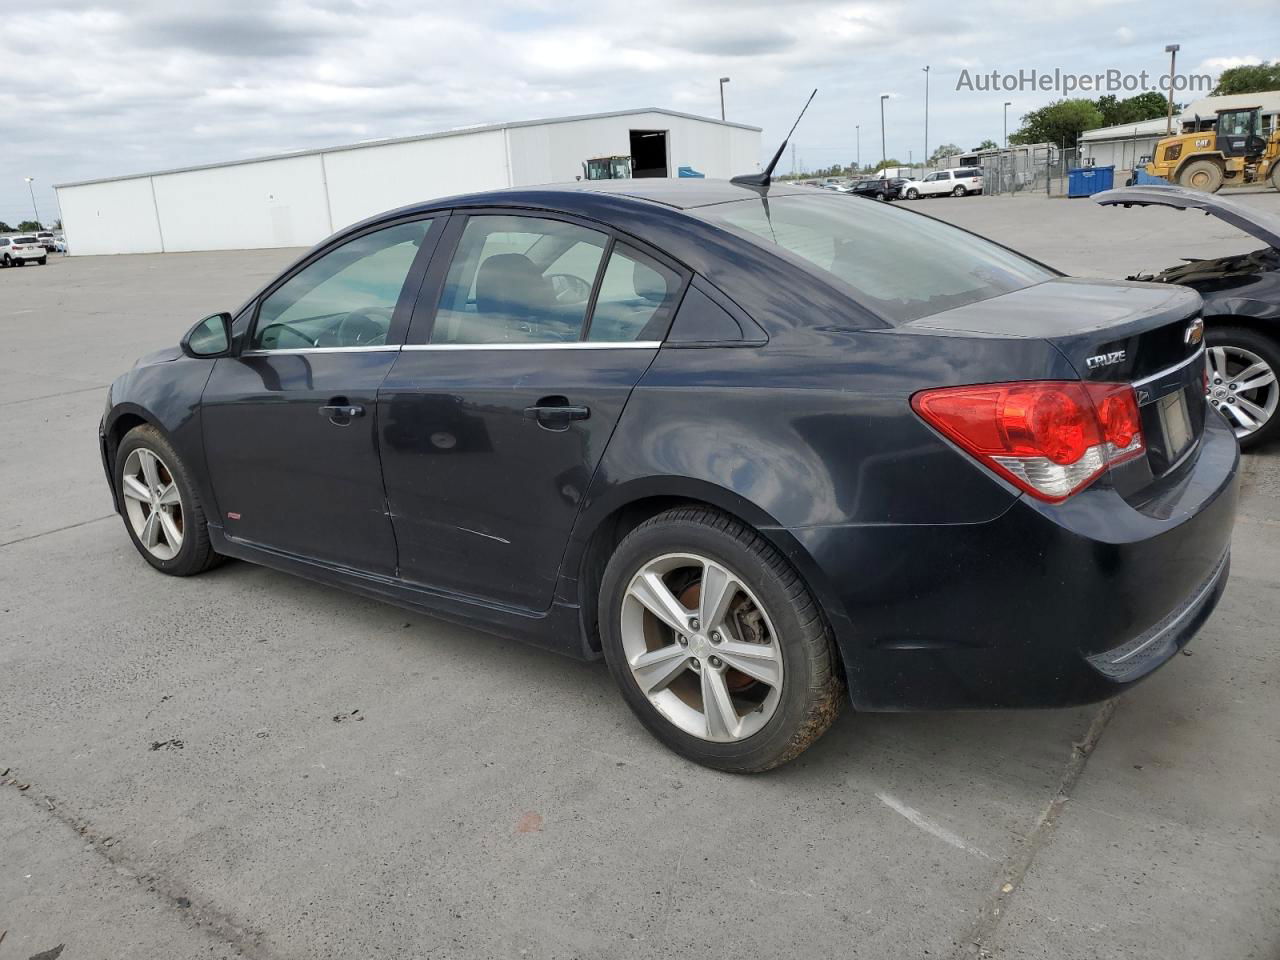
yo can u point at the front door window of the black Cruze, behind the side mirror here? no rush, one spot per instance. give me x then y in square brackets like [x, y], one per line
[346, 299]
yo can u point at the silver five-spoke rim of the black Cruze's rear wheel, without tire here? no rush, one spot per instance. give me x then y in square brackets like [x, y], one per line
[702, 647]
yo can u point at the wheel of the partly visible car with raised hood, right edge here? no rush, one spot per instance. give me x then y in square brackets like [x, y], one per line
[1244, 372]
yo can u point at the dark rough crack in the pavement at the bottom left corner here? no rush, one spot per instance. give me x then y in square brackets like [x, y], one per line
[205, 920]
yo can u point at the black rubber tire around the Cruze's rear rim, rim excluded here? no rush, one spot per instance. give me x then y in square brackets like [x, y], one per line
[812, 691]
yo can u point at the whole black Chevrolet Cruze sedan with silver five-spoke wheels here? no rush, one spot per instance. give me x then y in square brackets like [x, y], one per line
[757, 447]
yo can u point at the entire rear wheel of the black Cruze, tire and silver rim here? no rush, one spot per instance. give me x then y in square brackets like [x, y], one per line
[716, 643]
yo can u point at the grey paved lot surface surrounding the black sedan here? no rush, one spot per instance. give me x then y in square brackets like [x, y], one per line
[249, 765]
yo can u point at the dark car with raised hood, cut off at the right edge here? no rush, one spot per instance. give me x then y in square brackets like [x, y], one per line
[1242, 308]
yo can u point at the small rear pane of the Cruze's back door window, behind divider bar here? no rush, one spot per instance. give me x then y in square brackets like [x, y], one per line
[637, 299]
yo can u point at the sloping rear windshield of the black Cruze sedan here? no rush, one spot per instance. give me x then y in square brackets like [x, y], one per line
[899, 264]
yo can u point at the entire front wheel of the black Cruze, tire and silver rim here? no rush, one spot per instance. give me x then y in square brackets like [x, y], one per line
[162, 510]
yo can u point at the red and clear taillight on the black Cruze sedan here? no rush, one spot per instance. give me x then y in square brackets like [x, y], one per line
[1049, 438]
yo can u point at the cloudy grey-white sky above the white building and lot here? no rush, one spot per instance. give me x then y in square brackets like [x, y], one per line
[104, 89]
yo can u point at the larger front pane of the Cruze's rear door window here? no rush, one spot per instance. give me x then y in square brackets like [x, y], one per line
[519, 280]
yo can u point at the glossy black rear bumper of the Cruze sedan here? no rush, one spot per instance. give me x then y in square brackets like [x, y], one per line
[1046, 606]
